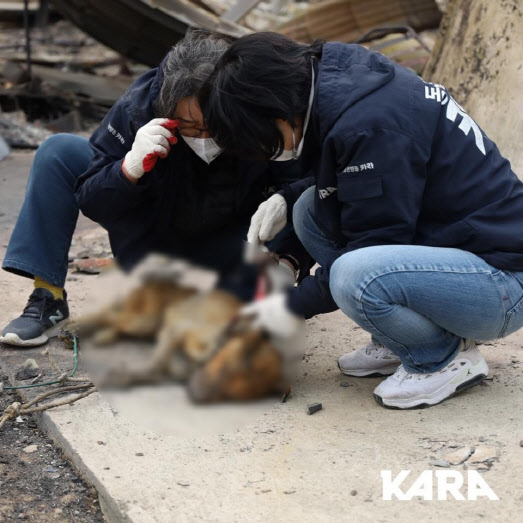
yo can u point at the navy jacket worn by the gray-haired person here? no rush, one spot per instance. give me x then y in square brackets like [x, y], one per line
[182, 194]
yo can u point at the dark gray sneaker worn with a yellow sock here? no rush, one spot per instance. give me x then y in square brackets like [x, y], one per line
[43, 317]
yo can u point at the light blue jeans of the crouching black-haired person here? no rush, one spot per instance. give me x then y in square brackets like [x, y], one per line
[418, 301]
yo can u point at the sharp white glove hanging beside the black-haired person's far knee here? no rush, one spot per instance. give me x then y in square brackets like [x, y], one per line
[268, 220]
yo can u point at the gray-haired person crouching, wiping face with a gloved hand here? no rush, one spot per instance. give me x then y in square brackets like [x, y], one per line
[153, 177]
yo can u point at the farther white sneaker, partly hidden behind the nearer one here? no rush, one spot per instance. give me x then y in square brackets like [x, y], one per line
[372, 360]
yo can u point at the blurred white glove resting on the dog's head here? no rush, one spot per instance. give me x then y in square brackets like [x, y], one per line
[273, 315]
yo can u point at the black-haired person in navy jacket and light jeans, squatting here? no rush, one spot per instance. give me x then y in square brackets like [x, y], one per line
[413, 214]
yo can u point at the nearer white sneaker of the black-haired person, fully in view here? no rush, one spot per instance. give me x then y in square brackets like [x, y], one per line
[404, 390]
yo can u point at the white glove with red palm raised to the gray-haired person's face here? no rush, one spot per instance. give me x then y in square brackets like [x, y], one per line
[152, 141]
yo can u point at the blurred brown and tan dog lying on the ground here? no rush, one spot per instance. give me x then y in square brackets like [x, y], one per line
[198, 338]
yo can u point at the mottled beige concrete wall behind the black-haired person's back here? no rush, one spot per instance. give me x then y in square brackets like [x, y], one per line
[479, 57]
